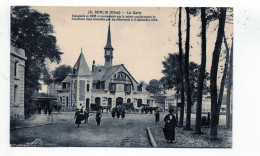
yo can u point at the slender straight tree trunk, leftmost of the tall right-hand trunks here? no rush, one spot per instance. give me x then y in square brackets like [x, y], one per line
[181, 73]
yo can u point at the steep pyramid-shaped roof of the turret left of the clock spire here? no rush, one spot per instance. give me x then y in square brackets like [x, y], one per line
[81, 66]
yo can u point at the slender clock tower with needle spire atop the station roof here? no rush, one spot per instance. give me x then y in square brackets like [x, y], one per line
[108, 49]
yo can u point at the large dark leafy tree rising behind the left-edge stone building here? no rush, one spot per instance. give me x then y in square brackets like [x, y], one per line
[32, 31]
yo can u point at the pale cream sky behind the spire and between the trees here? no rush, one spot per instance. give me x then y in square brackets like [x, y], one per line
[140, 46]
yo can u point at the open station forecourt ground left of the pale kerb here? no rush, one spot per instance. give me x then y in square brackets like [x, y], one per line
[128, 132]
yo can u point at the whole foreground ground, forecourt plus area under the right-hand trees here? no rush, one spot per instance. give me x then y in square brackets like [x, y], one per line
[128, 132]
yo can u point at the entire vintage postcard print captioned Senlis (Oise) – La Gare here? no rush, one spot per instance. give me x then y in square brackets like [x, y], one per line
[138, 77]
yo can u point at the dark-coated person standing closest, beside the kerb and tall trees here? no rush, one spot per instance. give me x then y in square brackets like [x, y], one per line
[169, 128]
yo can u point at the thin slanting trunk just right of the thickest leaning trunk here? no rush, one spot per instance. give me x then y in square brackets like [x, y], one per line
[223, 80]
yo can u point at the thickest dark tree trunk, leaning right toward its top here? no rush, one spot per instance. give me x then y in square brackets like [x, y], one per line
[213, 75]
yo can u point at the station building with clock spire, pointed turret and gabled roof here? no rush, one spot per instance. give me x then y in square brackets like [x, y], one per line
[106, 86]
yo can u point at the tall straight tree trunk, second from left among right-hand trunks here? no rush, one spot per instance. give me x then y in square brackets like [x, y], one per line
[187, 75]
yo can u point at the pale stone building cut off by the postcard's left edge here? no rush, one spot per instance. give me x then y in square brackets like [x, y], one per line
[17, 70]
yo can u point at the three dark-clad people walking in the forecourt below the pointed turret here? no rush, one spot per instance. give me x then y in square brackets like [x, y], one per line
[81, 115]
